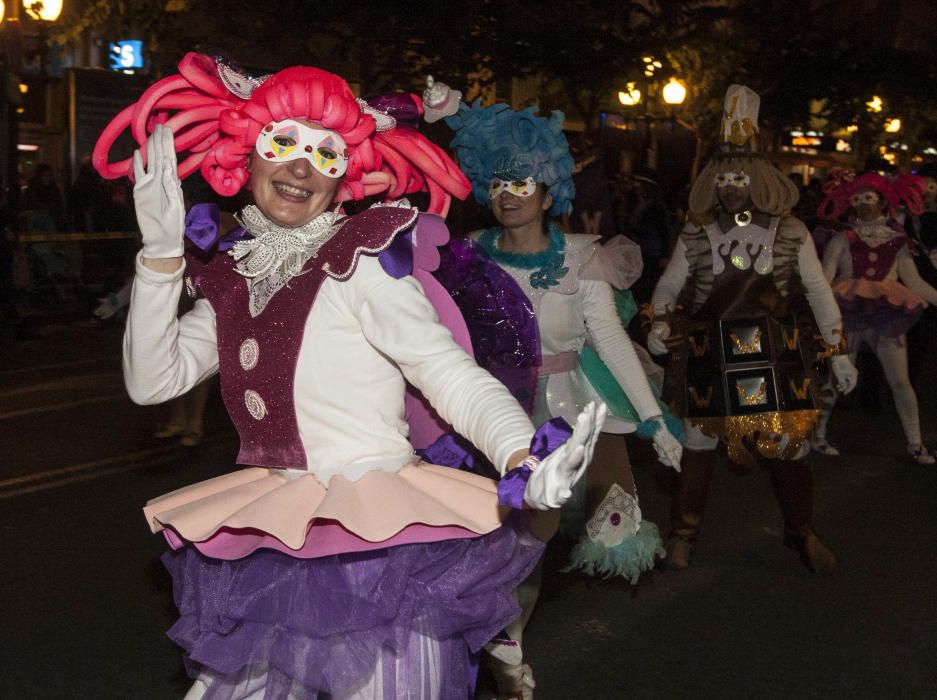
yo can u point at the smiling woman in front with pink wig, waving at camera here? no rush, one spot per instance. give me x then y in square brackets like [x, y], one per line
[338, 563]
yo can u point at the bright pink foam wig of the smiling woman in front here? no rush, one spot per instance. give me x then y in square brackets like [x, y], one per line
[216, 113]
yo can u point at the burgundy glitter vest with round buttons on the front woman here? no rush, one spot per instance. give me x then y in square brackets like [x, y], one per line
[258, 356]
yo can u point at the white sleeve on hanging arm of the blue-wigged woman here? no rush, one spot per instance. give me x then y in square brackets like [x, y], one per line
[614, 347]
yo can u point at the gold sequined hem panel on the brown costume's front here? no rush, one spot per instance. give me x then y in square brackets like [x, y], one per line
[761, 431]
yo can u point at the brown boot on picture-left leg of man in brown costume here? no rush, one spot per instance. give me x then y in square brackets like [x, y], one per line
[688, 504]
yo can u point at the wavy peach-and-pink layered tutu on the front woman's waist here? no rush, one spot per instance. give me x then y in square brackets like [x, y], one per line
[235, 514]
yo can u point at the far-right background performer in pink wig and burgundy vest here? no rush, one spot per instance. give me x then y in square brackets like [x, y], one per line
[877, 285]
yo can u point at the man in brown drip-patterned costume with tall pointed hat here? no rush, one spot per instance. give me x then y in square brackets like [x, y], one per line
[735, 307]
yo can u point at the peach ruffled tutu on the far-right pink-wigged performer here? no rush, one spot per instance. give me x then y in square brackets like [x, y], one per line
[885, 306]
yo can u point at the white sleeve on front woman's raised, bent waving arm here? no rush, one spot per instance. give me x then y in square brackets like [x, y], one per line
[165, 356]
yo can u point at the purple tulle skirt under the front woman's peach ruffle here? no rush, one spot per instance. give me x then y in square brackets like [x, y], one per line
[326, 624]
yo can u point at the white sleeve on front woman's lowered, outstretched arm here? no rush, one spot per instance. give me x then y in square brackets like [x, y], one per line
[400, 322]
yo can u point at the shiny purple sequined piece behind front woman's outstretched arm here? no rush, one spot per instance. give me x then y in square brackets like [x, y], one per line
[499, 316]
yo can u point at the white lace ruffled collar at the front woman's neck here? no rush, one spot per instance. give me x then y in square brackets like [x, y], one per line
[276, 254]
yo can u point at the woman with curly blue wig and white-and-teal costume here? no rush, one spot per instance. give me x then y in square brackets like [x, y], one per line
[519, 166]
